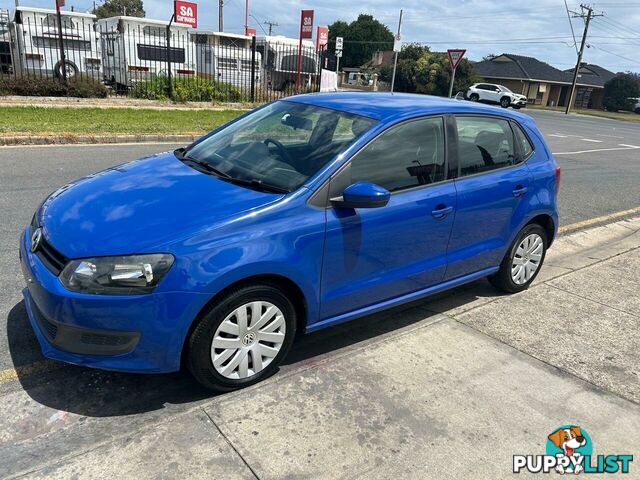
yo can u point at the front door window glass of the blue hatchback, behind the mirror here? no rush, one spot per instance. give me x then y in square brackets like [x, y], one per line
[405, 156]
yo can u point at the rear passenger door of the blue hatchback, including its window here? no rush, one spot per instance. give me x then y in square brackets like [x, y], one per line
[492, 190]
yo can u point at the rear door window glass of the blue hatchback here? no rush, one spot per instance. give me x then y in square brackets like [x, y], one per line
[484, 144]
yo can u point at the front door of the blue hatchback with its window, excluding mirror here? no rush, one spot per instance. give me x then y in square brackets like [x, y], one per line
[377, 254]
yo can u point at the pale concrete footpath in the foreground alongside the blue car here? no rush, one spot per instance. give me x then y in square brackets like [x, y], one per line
[451, 387]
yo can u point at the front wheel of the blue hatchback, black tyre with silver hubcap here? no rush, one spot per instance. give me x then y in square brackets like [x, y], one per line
[243, 338]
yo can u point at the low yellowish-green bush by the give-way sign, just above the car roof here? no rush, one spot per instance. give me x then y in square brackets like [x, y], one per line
[422, 71]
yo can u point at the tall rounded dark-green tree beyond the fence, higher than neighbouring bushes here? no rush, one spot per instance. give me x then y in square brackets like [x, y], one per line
[362, 38]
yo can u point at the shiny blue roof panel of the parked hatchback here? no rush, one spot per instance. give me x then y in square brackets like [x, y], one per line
[391, 107]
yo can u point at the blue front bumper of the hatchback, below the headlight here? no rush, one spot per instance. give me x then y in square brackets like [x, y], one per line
[133, 333]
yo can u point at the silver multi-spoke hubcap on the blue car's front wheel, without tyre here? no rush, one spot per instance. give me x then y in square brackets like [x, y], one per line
[248, 340]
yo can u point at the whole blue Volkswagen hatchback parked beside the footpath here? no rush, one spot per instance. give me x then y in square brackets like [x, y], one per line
[301, 214]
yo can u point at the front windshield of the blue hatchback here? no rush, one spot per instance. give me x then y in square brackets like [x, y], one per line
[278, 147]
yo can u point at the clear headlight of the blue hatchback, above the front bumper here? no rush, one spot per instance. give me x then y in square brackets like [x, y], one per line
[125, 275]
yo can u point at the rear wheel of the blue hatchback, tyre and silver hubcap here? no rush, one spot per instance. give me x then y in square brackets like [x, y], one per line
[523, 260]
